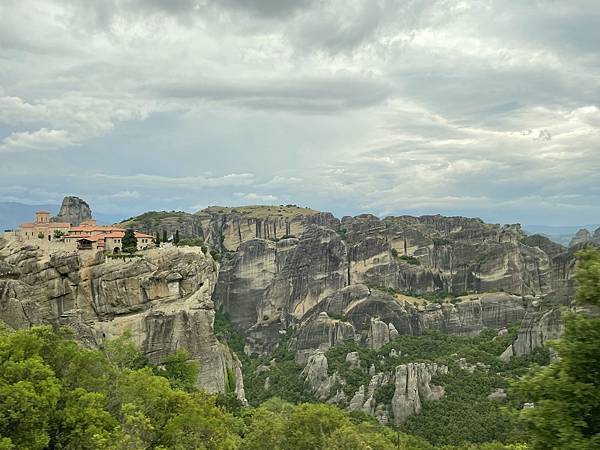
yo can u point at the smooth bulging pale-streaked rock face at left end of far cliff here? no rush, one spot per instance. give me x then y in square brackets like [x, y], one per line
[267, 285]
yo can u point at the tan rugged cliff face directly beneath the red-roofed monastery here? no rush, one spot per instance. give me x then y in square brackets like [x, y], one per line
[164, 299]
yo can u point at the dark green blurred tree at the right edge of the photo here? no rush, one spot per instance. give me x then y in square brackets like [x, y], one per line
[566, 394]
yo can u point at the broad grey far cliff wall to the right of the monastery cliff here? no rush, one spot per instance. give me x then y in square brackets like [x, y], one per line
[269, 285]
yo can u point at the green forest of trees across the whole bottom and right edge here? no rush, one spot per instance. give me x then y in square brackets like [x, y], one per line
[56, 394]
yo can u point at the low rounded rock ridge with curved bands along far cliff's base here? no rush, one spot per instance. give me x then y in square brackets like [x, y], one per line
[375, 317]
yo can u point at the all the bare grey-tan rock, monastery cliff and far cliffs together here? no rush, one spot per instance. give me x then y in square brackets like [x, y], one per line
[304, 275]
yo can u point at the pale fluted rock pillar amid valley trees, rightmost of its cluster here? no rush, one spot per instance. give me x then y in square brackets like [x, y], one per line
[413, 387]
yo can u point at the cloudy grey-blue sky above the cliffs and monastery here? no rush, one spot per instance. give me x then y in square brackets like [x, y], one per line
[480, 108]
